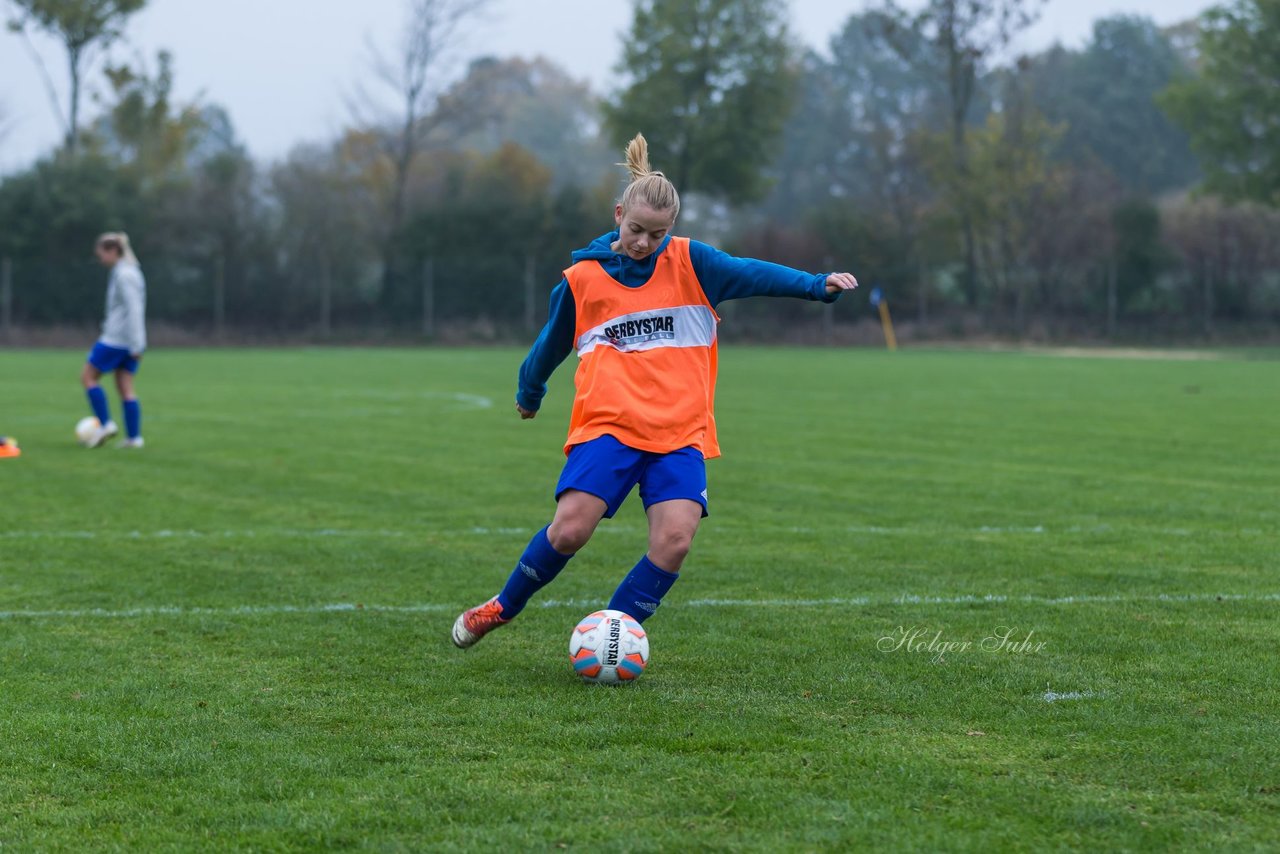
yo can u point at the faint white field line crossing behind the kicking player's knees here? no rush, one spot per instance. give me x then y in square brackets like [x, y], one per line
[607, 529]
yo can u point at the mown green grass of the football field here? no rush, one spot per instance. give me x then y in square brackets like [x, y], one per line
[239, 637]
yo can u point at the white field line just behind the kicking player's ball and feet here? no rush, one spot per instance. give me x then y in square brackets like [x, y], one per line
[437, 608]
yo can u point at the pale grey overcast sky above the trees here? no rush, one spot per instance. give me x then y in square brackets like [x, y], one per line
[282, 67]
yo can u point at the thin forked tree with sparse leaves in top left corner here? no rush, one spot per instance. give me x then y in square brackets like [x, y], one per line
[85, 29]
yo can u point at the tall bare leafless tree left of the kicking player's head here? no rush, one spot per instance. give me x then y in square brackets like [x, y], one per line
[412, 79]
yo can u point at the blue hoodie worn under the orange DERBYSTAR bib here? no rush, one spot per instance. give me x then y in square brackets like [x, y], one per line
[723, 277]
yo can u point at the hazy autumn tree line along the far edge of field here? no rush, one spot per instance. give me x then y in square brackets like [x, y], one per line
[1128, 188]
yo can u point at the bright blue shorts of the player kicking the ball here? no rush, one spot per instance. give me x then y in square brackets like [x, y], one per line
[609, 471]
